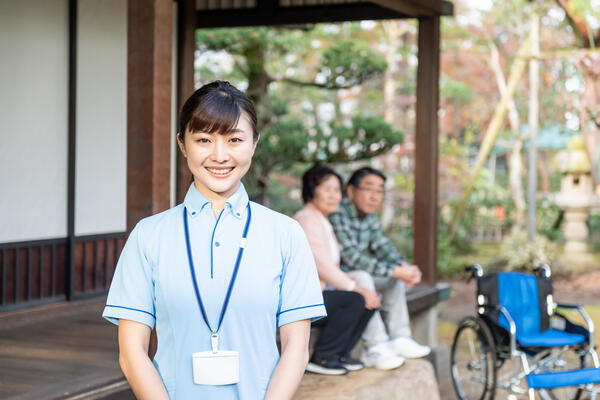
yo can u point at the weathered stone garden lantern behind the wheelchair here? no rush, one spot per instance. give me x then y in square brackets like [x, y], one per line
[576, 197]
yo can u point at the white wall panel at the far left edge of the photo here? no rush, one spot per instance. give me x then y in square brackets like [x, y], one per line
[33, 119]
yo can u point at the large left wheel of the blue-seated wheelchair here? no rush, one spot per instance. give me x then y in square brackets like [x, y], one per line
[473, 361]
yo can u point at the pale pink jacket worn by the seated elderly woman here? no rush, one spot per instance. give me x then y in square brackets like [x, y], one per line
[309, 218]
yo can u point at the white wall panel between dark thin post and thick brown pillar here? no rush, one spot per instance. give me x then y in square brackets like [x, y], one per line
[101, 167]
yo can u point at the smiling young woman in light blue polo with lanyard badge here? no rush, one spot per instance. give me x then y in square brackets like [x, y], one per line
[216, 275]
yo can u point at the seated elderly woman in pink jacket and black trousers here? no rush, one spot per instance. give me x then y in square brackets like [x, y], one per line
[349, 306]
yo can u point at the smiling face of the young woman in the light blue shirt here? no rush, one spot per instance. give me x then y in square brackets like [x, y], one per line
[219, 161]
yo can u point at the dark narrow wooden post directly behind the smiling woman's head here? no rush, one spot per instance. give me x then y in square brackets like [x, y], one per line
[186, 41]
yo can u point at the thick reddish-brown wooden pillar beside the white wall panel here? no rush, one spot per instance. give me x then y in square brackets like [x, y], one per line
[149, 75]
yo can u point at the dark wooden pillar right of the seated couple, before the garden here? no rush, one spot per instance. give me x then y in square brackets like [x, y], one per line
[426, 149]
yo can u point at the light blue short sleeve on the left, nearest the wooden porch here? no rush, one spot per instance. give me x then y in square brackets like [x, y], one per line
[131, 294]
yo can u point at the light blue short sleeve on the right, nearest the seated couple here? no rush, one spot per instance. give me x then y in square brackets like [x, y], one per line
[300, 294]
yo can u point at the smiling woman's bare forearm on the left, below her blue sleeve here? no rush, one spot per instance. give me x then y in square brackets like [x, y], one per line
[143, 378]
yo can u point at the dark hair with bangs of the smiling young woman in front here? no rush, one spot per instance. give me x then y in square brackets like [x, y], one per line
[216, 107]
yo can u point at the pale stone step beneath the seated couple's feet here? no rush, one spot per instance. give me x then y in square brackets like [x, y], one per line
[414, 380]
